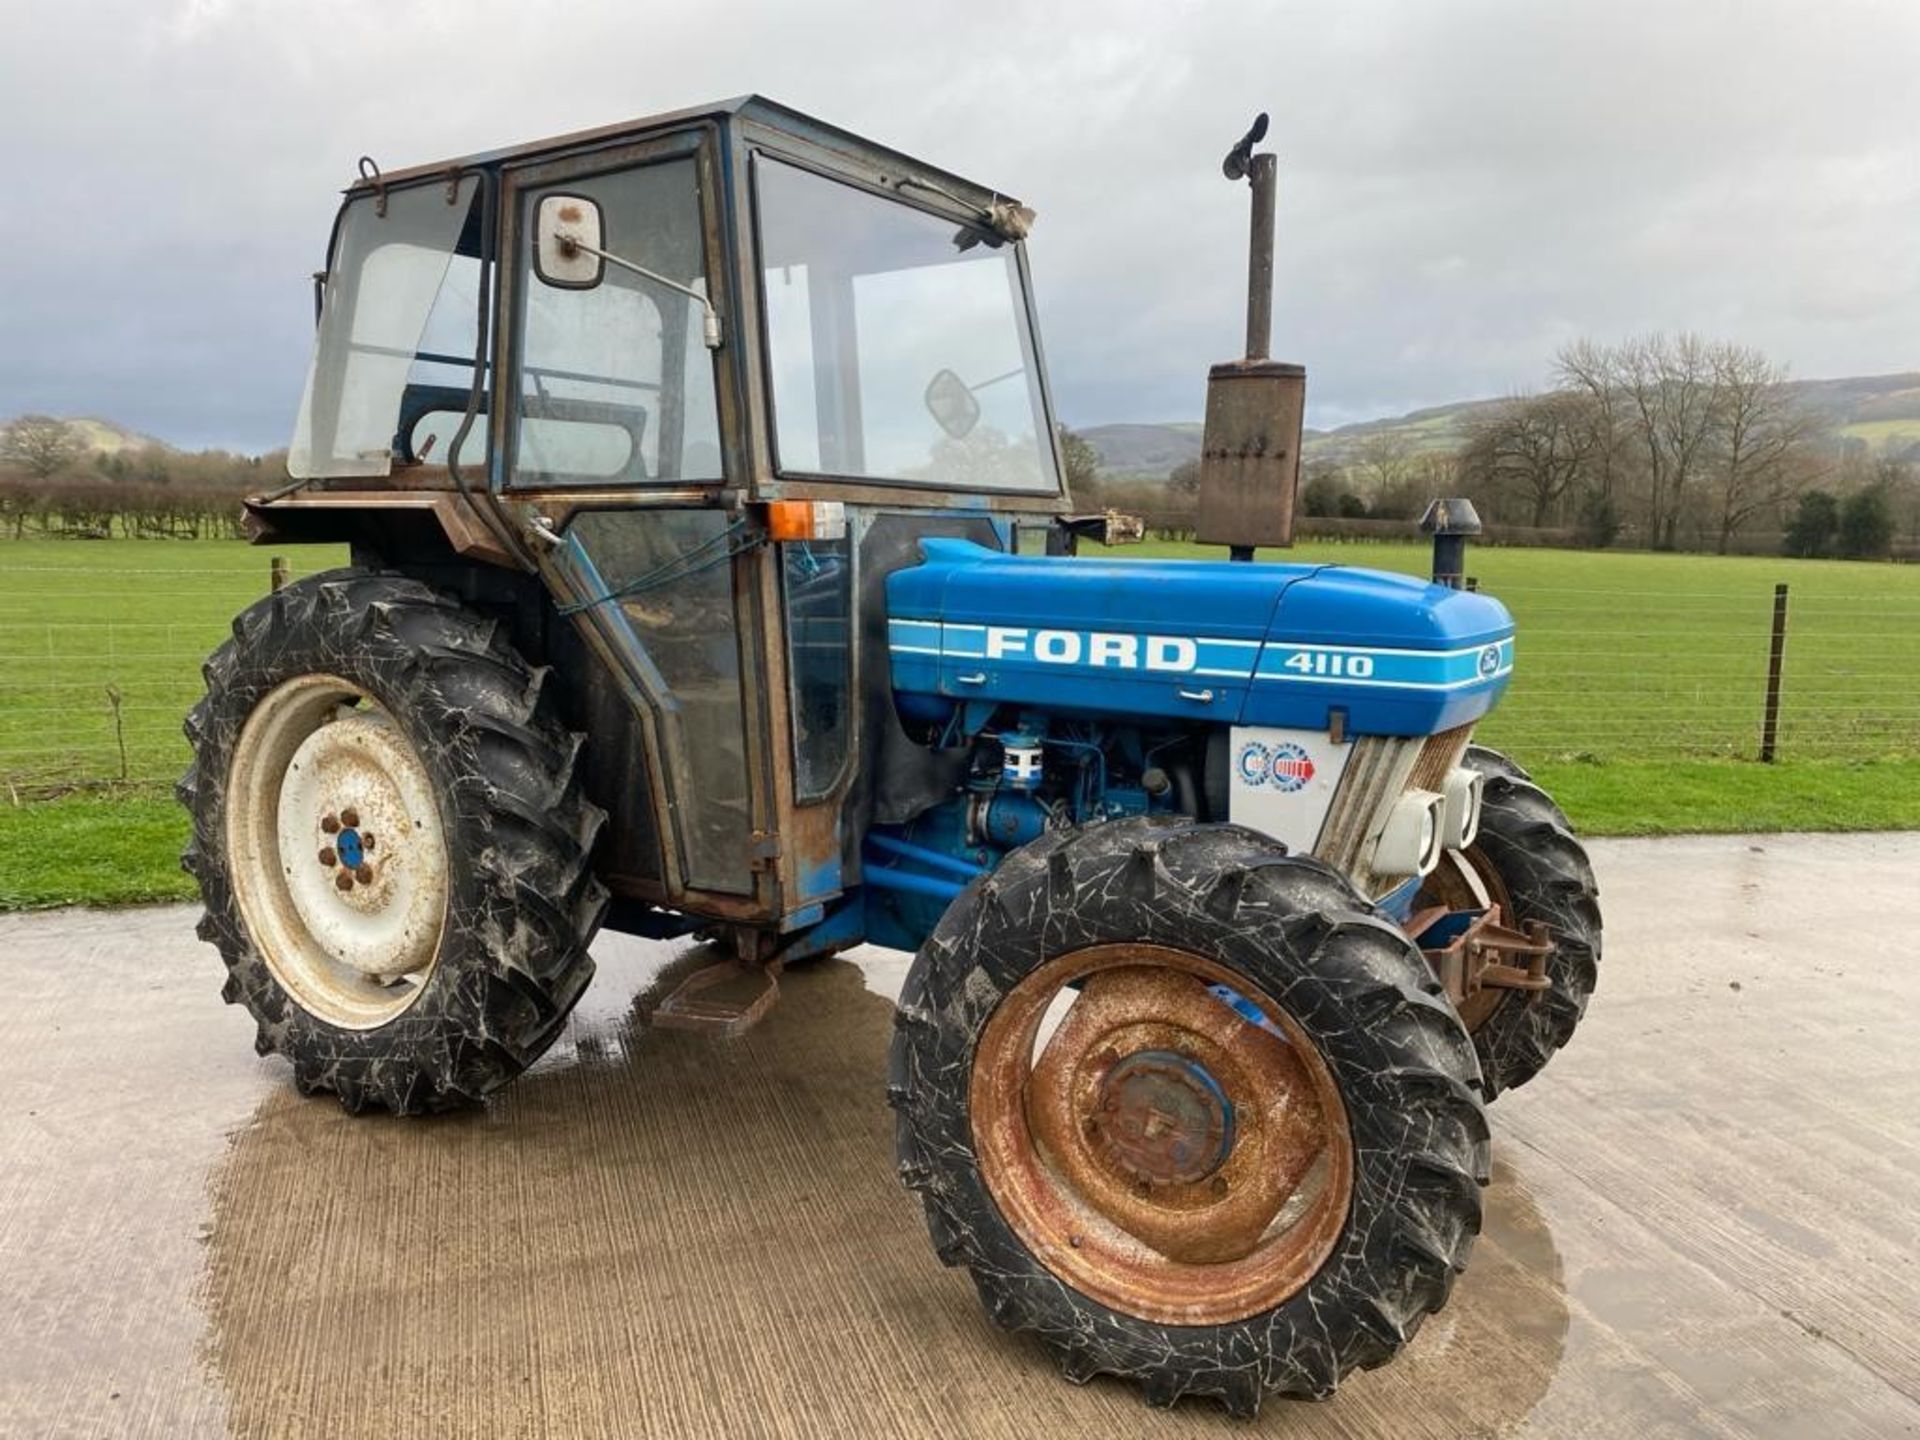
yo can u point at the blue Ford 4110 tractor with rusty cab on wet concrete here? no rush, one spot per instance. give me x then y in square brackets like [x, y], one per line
[713, 577]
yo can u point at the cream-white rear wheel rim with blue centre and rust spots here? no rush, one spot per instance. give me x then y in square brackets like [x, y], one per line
[337, 853]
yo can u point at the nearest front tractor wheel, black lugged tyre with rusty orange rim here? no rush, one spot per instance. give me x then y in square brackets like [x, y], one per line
[1239, 997]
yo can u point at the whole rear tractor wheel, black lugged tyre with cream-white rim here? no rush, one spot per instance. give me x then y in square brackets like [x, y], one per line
[431, 963]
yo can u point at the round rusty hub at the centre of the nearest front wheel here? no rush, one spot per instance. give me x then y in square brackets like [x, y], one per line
[1163, 1118]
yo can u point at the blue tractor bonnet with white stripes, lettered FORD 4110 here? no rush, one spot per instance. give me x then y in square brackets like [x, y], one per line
[1201, 640]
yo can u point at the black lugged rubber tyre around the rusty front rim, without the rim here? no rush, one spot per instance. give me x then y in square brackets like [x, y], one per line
[1406, 1070]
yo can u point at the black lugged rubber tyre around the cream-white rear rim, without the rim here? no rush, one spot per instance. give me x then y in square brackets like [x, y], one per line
[523, 900]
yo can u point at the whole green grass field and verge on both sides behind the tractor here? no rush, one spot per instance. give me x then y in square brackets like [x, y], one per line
[1637, 700]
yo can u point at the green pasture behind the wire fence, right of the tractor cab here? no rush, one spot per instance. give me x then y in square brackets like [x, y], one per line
[1629, 656]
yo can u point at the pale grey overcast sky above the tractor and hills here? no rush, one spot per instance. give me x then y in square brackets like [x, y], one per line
[1464, 185]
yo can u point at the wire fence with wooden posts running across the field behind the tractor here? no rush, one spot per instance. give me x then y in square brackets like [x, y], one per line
[99, 665]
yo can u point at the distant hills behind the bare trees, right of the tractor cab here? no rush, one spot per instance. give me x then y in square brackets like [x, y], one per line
[1879, 410]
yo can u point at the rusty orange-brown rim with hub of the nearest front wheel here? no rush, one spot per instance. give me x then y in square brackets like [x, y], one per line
[1174, 1153]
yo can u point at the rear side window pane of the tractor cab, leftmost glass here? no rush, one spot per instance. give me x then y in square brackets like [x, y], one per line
[398, 314]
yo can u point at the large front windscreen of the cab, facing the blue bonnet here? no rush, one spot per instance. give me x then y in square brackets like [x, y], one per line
[900, 345]
